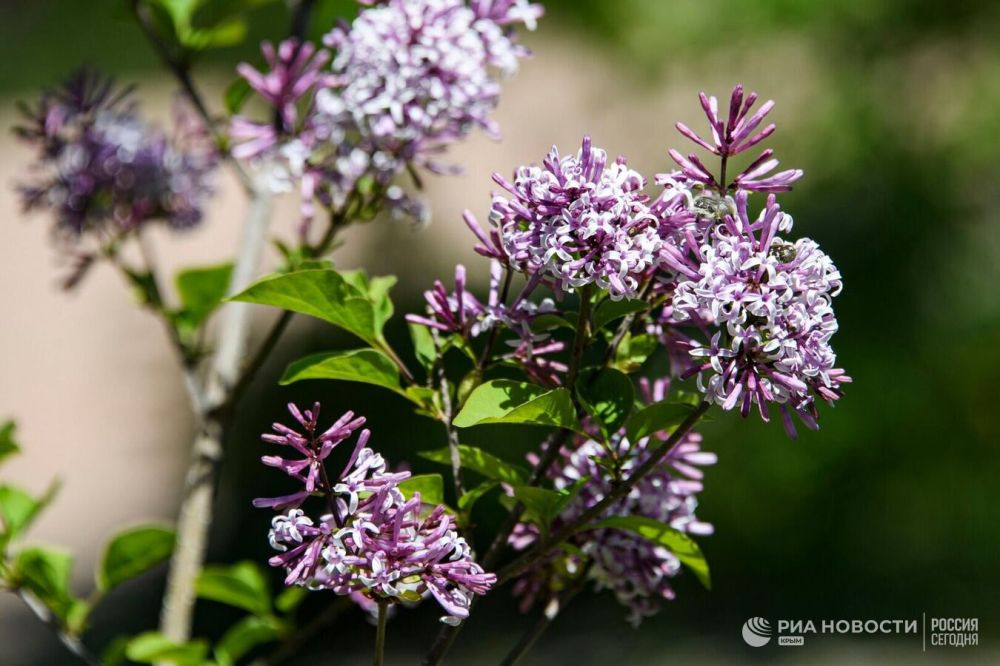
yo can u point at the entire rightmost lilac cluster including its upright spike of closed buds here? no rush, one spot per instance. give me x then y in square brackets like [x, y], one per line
[763, 304]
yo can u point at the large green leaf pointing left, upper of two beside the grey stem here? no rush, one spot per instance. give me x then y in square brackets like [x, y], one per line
[323, 294]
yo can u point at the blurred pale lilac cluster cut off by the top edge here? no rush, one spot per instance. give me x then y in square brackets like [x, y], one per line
[407, 78]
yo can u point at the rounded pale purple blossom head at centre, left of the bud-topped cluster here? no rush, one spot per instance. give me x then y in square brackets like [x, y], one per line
[575, 221]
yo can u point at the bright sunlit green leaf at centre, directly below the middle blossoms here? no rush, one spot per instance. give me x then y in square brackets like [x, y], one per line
[506, 401]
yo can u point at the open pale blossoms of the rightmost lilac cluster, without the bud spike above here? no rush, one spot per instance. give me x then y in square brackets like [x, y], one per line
[772, 302]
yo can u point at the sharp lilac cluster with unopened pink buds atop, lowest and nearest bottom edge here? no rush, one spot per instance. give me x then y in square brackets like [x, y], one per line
[372, 543]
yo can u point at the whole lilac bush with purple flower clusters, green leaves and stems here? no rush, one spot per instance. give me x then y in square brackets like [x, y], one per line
[620, 310]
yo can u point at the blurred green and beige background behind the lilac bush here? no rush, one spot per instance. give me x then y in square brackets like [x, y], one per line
[889, 511]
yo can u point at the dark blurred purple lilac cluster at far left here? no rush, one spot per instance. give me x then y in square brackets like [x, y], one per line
[102, 170]
